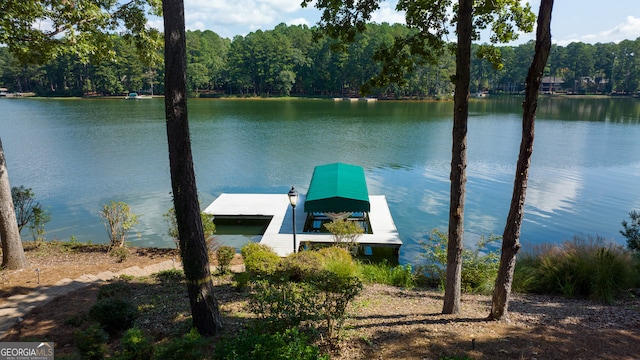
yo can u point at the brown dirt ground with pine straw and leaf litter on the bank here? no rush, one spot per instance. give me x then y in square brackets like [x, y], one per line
[384, 323]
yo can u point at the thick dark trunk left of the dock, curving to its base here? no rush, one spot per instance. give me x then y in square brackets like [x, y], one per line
[195, 259]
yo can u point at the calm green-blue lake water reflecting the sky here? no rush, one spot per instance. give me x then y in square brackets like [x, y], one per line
[79, 154]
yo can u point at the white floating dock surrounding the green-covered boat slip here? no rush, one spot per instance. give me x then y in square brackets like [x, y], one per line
[279, 232]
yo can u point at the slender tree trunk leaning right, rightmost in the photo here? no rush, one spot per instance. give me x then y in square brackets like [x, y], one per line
[511, 235]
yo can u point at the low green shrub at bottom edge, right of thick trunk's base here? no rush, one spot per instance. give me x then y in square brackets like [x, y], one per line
[290, 345]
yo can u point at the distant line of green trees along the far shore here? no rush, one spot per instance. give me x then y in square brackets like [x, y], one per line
[289, 60]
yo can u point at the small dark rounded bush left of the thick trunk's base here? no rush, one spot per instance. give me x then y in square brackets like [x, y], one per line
[114, 314]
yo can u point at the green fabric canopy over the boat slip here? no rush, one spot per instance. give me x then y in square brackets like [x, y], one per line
[337, 188]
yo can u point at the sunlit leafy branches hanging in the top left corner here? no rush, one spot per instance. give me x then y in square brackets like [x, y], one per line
[37, 31]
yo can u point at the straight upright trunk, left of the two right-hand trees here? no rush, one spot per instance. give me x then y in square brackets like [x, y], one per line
[459, 159]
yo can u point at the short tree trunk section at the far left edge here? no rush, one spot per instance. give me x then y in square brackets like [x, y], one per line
[12, 252]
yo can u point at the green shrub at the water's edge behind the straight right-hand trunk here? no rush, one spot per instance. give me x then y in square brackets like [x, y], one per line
[479, 266]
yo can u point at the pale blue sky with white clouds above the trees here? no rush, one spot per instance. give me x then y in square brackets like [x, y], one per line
[589, 21]
